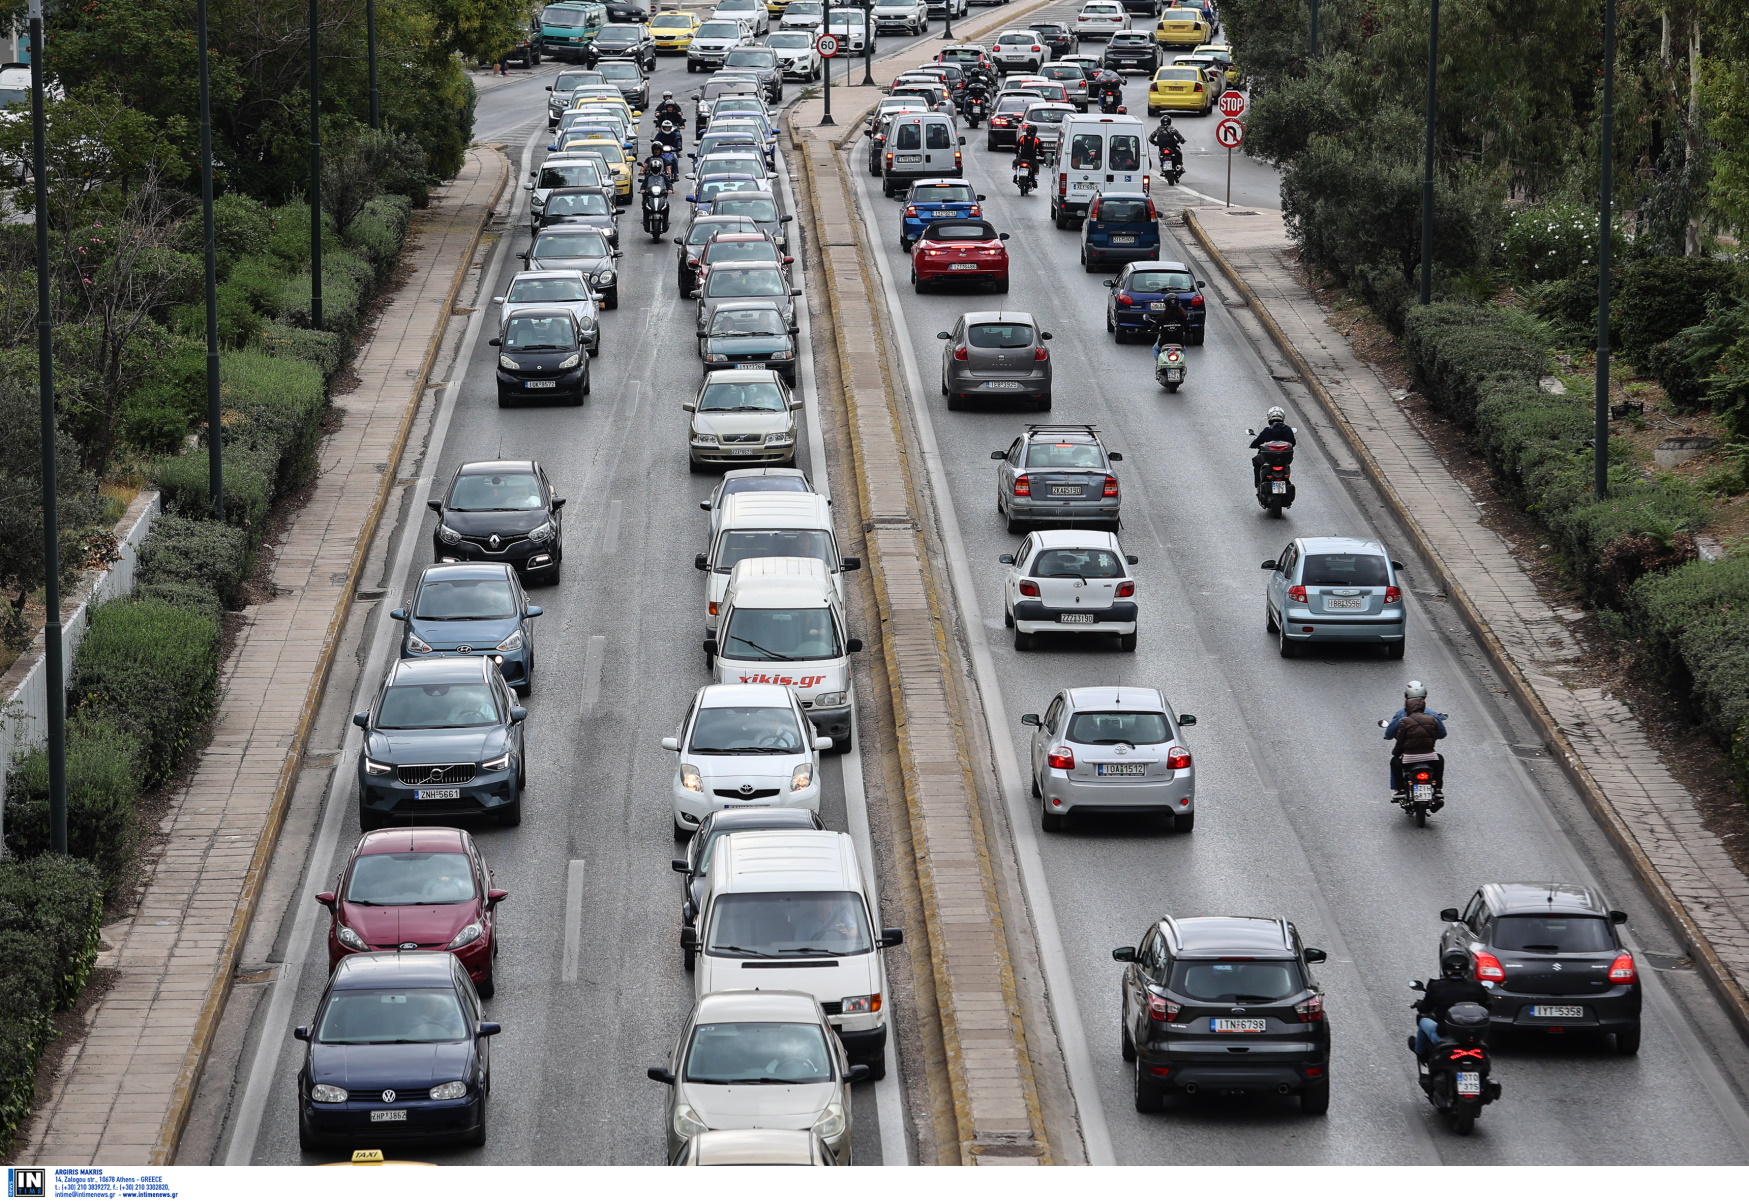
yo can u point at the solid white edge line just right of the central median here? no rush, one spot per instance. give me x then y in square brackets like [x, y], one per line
[1077, 1059]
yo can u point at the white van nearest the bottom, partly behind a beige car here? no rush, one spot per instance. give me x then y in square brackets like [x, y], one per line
[791, 910]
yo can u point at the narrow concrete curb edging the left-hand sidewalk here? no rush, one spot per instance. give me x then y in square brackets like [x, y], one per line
[188, 1080]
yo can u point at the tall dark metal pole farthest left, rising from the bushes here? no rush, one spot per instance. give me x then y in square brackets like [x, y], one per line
[52, 534]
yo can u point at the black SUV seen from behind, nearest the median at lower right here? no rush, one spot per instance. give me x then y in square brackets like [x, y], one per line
[1225, 1006]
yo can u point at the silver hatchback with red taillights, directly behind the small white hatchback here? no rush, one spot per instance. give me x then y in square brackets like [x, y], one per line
[1113, 751]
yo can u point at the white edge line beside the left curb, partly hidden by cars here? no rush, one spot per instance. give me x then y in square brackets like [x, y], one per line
[246, 1128]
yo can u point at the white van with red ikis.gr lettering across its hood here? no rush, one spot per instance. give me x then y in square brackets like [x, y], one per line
[783, 623]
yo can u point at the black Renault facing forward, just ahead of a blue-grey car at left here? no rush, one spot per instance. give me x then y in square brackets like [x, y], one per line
[503, 511]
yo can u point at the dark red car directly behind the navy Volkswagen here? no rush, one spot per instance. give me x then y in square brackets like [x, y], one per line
[421, 889]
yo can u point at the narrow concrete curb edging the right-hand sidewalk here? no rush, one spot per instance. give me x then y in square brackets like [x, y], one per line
[1713, 968]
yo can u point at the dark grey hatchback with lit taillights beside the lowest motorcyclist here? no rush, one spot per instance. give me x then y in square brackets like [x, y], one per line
[1552, 957]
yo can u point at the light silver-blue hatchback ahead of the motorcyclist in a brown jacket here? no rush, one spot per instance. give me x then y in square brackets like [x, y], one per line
[1335, 590]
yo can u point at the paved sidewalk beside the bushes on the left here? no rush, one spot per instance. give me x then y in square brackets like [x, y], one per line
[123, 1093]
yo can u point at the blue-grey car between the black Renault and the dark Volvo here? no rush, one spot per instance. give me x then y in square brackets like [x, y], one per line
[473, 609]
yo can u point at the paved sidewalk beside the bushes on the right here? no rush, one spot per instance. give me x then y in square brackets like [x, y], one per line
[1603, 749]
